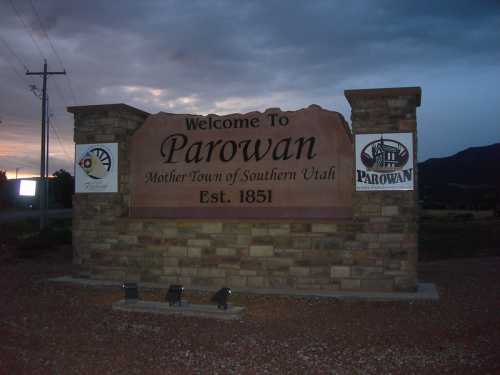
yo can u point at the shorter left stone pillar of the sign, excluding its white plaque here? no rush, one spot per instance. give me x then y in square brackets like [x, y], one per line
[95, 214]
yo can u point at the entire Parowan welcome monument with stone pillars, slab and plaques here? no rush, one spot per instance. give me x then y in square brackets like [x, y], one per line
[273, 199]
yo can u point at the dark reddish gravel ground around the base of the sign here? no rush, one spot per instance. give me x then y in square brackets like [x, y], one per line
[50, 328]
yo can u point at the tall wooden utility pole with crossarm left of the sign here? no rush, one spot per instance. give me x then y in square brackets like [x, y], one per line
[43, 200]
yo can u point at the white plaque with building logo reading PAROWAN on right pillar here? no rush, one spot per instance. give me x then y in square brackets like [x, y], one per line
[384, 161]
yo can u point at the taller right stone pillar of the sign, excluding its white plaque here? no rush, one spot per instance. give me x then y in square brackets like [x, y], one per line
[388, 218]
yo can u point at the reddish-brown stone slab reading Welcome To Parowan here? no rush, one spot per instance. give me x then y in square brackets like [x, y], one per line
[267, 165]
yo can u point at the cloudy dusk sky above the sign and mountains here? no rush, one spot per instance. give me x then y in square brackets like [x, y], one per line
[221, 57]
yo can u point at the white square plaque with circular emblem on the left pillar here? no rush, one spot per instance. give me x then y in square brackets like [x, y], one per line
[96, 168]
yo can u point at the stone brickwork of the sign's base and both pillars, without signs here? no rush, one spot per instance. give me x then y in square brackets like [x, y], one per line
[376, 250]
